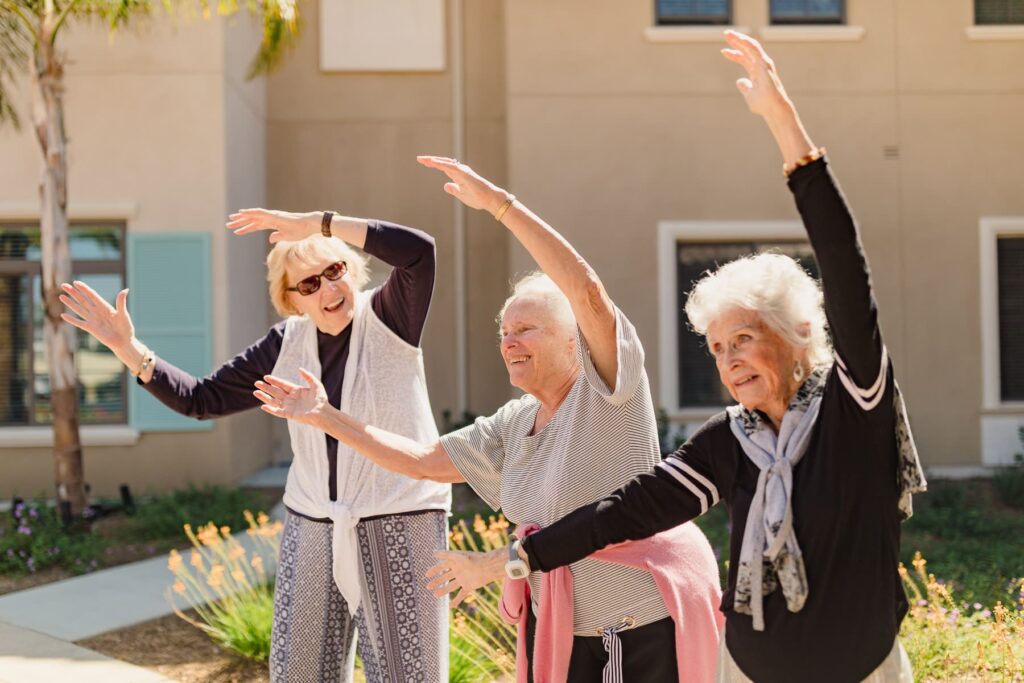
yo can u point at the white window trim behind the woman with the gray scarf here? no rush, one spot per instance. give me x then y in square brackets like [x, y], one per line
[669, 234]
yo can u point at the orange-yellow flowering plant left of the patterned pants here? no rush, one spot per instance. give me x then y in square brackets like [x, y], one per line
[227, 585]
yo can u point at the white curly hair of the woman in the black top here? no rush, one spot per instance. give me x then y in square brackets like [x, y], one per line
[775, 287]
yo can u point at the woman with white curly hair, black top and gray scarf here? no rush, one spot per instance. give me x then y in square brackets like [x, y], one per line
[816, 463]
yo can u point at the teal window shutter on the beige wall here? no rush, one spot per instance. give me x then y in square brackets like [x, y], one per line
[170, 301]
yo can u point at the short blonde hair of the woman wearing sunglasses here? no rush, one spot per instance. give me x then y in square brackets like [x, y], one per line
[312, 251]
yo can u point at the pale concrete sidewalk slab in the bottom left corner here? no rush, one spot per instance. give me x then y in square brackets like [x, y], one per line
[27, 657]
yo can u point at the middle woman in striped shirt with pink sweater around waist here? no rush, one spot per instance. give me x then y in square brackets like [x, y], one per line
[584, 428]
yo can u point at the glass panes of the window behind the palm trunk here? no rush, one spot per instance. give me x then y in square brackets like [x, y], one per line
[98, 251]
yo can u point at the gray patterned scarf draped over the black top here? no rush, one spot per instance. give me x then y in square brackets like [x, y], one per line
[771, 554]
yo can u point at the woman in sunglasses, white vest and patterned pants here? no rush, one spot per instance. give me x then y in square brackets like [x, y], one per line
[358, 537]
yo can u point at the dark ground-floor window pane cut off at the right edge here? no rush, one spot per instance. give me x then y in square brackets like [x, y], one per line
[1010, 260]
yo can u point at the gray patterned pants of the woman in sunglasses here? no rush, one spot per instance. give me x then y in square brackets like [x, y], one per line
[403, 628]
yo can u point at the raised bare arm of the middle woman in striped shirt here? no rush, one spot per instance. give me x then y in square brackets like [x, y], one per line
[591, 305]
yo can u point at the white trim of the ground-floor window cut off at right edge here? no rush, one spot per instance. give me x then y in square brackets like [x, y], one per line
[991, 230]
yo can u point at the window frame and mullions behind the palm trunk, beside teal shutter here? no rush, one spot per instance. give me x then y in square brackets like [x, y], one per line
[34, 270]
